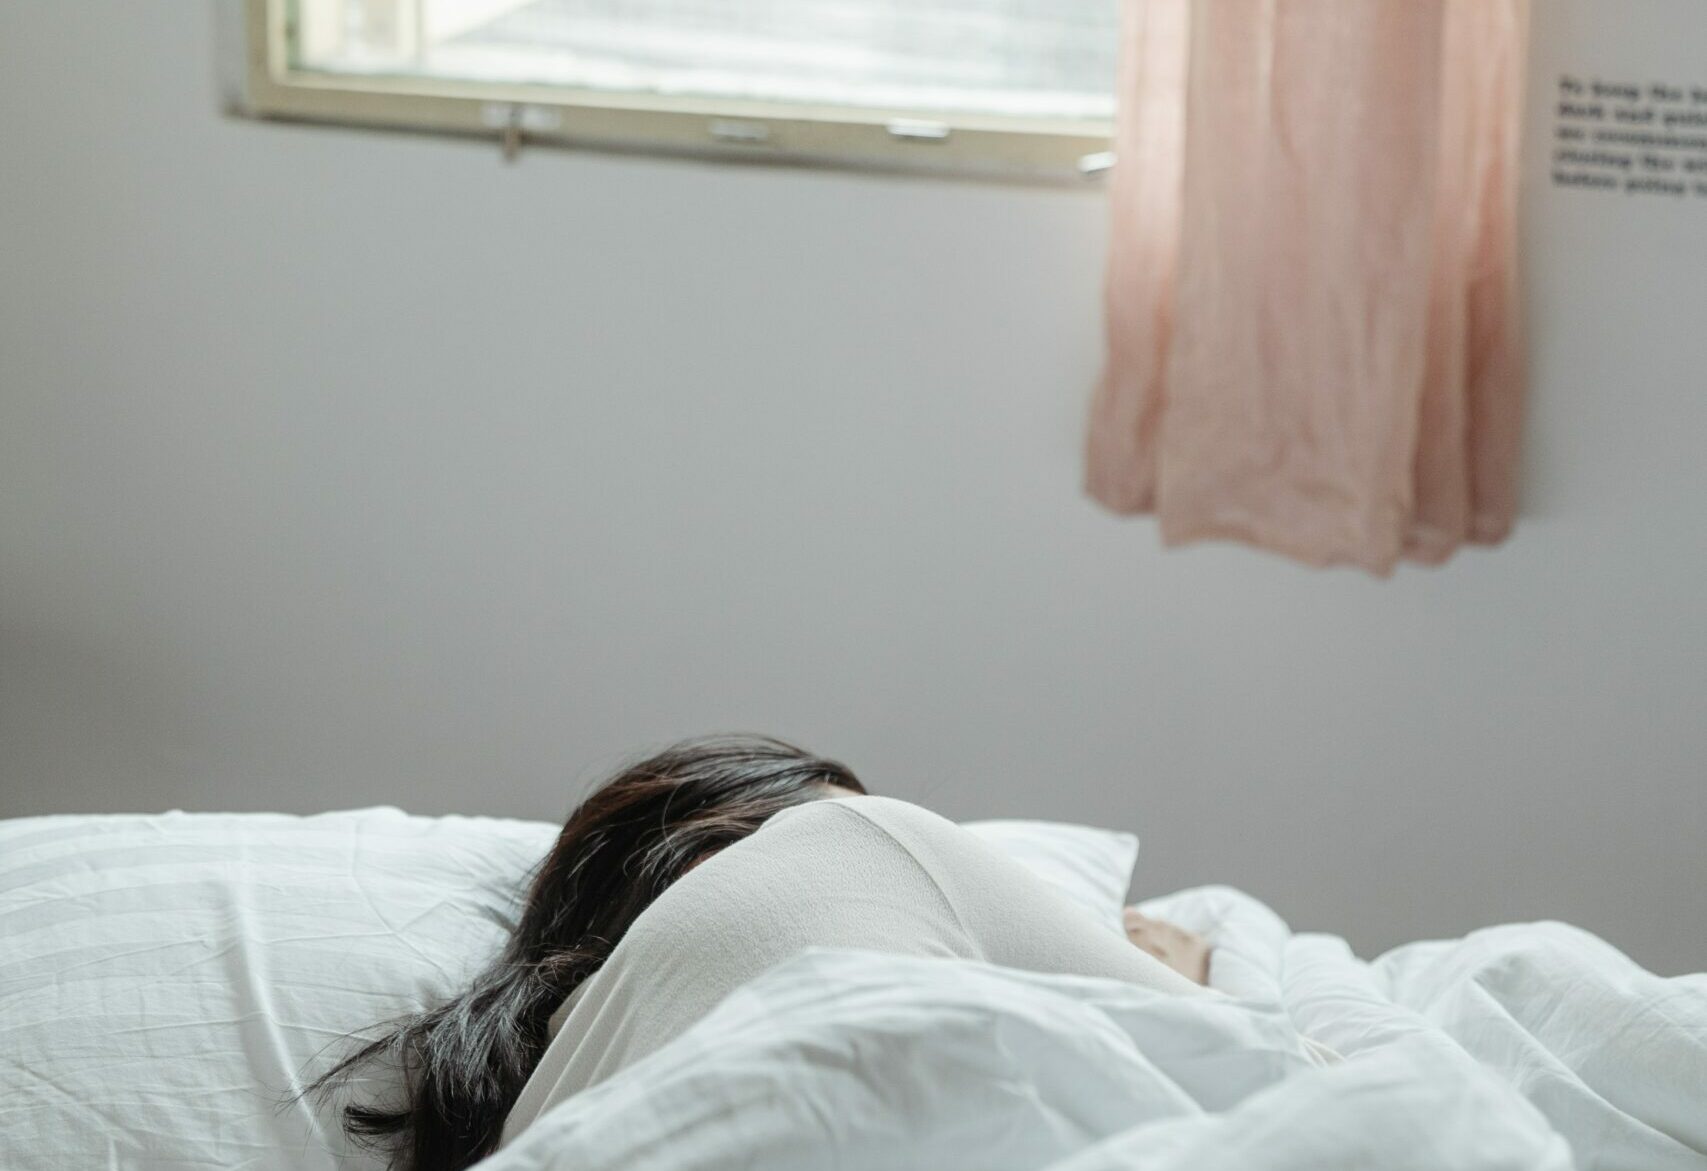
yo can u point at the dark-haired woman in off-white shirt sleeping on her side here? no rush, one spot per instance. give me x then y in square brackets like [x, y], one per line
[661, 897]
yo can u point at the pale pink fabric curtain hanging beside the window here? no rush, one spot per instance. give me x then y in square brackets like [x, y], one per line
[1314, 335]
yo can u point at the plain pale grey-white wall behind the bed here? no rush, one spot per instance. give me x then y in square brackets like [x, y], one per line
[344, 469]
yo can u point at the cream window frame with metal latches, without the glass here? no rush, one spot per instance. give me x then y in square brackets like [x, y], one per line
[996, 148]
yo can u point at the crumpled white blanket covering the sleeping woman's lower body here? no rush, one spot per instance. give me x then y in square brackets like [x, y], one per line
[1534, 1047]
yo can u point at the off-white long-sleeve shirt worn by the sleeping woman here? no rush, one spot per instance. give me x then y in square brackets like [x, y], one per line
[841, 873]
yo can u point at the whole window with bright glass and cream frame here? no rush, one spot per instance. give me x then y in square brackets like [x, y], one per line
[987, 86]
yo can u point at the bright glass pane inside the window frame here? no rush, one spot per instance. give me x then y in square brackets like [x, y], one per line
[1039, 59]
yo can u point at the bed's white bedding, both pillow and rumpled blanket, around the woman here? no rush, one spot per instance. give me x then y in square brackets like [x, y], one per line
[170, 982]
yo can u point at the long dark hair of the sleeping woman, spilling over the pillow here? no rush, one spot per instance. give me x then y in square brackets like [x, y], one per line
[467, 1061]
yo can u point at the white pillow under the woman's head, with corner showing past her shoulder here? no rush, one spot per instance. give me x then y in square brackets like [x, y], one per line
[168, 981]
